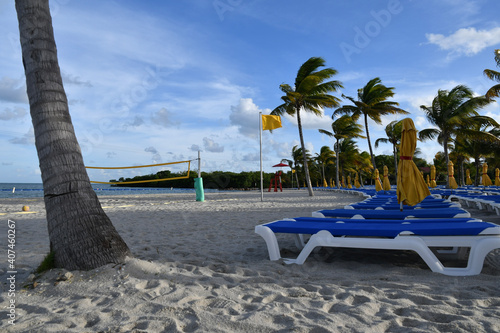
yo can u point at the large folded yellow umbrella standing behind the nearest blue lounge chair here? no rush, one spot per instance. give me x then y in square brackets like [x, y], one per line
[411, 187]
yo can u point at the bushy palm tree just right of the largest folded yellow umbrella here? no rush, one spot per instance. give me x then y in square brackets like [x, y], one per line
[451, 112]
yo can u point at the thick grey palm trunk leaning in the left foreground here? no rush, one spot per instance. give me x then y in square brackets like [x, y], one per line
[81, 234]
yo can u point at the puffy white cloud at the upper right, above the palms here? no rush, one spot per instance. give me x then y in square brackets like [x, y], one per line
[466, 41]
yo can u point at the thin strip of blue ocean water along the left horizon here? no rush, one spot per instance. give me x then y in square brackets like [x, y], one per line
[35, 190]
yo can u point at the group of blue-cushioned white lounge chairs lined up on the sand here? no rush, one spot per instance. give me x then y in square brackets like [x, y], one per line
[427, 230]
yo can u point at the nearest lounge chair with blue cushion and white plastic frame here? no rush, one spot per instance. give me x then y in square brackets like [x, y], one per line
[480, 237]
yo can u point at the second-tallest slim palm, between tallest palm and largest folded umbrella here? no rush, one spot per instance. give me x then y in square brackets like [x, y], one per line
[371, 103]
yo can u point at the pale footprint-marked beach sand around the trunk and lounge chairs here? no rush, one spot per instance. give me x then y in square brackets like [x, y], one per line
[199, 267]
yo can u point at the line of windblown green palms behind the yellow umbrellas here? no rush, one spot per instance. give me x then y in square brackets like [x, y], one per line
[458, 127]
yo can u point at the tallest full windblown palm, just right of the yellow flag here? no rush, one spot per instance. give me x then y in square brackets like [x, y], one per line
[310, 94]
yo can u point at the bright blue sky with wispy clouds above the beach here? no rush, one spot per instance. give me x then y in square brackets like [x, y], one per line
[156, 81]
